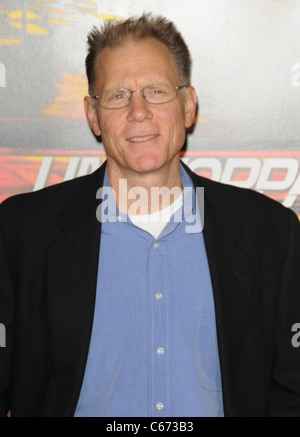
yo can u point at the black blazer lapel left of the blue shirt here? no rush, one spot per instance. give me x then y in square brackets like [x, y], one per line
[72, 280]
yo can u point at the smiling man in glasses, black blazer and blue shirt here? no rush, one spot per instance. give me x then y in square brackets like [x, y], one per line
[118, 305]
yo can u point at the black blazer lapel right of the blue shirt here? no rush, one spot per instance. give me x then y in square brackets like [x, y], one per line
[231, 269]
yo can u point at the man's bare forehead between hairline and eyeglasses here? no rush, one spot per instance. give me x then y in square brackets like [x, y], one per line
[135, 64]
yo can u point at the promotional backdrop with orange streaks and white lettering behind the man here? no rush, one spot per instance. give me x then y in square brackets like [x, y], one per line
[246, 71]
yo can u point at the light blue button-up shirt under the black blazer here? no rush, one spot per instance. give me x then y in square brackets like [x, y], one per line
[153, 349]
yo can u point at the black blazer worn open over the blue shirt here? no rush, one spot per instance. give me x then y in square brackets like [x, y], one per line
[49, 246]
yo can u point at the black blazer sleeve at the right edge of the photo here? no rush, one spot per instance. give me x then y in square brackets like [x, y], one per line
[284, 390]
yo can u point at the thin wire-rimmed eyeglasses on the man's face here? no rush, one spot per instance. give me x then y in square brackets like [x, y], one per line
[156, 94]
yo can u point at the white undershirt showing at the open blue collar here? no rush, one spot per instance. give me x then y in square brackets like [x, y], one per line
[154, 223]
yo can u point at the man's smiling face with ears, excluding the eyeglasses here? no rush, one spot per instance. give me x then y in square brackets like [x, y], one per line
[142, 137]
